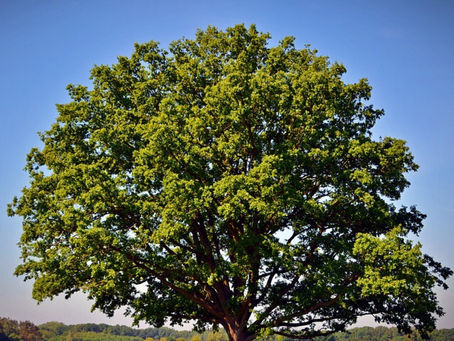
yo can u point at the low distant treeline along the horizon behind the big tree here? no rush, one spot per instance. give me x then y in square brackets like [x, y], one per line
[56, 331]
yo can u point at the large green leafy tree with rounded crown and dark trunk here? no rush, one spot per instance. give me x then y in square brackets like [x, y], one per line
[231, 183]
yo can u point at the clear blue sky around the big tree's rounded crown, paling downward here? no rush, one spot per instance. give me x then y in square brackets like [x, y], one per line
[404, 48]
